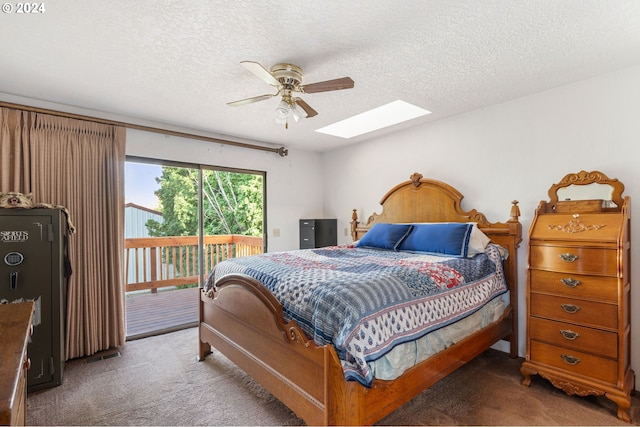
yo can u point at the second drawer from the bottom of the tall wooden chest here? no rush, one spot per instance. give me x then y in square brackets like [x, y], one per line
[574, 337]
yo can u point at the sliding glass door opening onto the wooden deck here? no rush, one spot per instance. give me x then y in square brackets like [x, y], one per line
[192, 217]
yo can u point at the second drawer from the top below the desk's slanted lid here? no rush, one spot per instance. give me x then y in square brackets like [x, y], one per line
[599, 288]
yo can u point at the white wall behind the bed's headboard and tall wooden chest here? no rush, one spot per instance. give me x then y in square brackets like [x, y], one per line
[515, 150]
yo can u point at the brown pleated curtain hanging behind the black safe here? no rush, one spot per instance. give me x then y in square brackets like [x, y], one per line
[80, 165]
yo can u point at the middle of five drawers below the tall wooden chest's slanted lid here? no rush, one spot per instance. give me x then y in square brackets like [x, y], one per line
[583, 312]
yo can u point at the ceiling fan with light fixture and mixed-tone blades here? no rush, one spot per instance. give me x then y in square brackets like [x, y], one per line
[287, 80]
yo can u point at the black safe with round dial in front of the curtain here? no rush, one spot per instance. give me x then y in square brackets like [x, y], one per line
[32, 267]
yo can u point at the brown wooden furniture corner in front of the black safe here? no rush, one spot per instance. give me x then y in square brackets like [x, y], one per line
[15, 330]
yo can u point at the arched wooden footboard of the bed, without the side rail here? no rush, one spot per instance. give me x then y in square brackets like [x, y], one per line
[244, 322]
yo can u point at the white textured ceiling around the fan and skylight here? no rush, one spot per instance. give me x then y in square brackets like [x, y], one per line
[178, 62]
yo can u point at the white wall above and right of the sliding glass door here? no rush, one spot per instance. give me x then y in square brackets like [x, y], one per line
[294, 183]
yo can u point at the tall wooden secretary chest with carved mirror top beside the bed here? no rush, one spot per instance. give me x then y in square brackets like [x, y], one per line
[578, 291]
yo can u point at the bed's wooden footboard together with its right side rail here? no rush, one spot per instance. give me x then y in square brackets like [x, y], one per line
[244, 322]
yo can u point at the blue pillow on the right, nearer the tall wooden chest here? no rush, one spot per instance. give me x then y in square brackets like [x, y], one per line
[438, 239]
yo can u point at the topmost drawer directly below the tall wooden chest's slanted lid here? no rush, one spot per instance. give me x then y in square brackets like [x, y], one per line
[574, 259]
